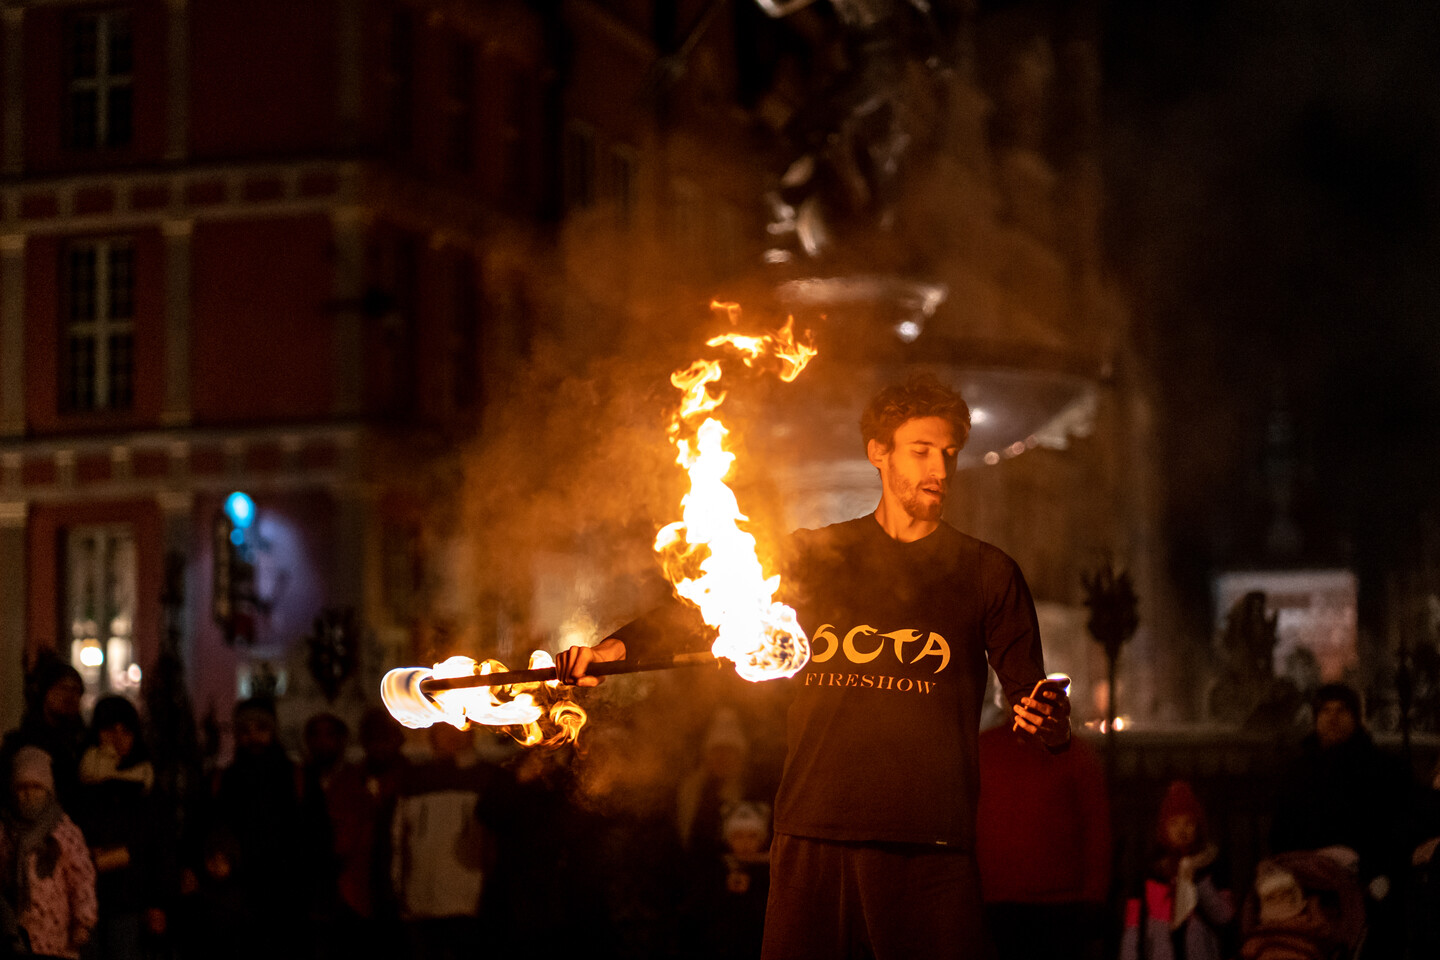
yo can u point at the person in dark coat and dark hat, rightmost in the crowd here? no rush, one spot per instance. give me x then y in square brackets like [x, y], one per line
[1344, 791]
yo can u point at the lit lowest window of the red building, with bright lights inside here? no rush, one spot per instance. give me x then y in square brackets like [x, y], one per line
[100, 607]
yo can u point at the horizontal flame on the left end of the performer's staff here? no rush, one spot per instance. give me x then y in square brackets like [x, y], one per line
[535, 713]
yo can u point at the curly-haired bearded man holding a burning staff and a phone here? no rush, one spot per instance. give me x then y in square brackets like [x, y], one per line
[875, 821]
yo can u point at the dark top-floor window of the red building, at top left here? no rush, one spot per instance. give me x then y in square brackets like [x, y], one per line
[100, 80]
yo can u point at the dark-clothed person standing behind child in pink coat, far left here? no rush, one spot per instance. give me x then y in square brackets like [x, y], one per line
[53, 722]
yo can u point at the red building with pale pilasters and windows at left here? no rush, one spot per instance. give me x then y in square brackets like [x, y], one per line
[244, 247]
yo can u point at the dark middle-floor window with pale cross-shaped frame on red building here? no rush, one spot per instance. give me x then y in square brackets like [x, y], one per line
[97, 368]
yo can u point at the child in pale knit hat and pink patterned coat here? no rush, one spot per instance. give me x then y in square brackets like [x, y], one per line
[47, 876]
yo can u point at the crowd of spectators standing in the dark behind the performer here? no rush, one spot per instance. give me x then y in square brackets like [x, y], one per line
[444, 844]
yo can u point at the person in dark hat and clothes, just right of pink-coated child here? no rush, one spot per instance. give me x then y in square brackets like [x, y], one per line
[119, 817]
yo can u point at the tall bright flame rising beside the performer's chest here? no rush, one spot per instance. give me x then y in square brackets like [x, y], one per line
[706, 555]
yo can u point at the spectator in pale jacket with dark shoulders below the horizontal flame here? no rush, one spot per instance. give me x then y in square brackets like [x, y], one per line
[441, 850]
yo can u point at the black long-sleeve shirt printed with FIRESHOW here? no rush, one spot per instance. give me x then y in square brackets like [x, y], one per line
[882, 733]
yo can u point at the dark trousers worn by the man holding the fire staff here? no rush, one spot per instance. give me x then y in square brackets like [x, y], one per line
[872, 902]
